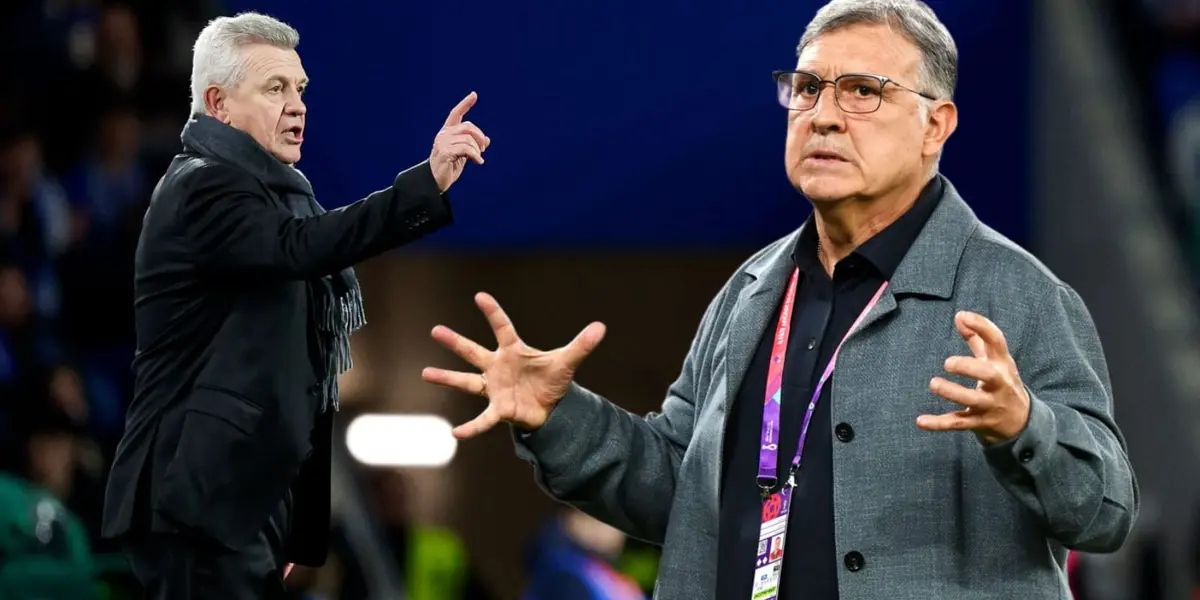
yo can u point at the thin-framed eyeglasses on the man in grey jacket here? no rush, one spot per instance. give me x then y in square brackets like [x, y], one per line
[854, 93]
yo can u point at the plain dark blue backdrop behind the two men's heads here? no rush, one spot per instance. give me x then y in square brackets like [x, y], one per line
[623, 123]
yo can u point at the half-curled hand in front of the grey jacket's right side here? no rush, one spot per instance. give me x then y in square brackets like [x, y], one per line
[999, 407]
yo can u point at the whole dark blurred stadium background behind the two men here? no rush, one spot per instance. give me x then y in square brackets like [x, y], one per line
[638, 160]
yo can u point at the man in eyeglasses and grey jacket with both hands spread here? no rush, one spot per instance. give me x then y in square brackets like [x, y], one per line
[895, 401]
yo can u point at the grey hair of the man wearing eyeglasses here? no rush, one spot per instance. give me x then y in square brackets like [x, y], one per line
[939, 71]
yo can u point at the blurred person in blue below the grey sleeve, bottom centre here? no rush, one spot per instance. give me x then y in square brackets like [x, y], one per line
[574, 557]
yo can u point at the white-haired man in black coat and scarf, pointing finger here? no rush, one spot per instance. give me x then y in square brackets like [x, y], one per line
[245, 302]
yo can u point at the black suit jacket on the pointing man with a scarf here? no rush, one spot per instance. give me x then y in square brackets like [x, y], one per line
[226, 412]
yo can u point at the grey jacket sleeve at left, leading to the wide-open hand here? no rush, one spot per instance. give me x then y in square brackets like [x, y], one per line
[614, 465]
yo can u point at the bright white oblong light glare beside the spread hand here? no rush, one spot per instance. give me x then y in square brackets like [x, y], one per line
[401, 441]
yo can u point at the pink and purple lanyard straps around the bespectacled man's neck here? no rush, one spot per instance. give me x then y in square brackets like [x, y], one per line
[769, 452]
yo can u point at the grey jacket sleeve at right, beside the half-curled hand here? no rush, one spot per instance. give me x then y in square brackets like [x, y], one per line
[1071, 465]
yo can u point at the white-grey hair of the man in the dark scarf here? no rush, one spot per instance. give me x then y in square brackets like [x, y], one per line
[218, 56]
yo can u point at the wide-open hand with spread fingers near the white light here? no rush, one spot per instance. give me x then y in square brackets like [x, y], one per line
[523, 385]
